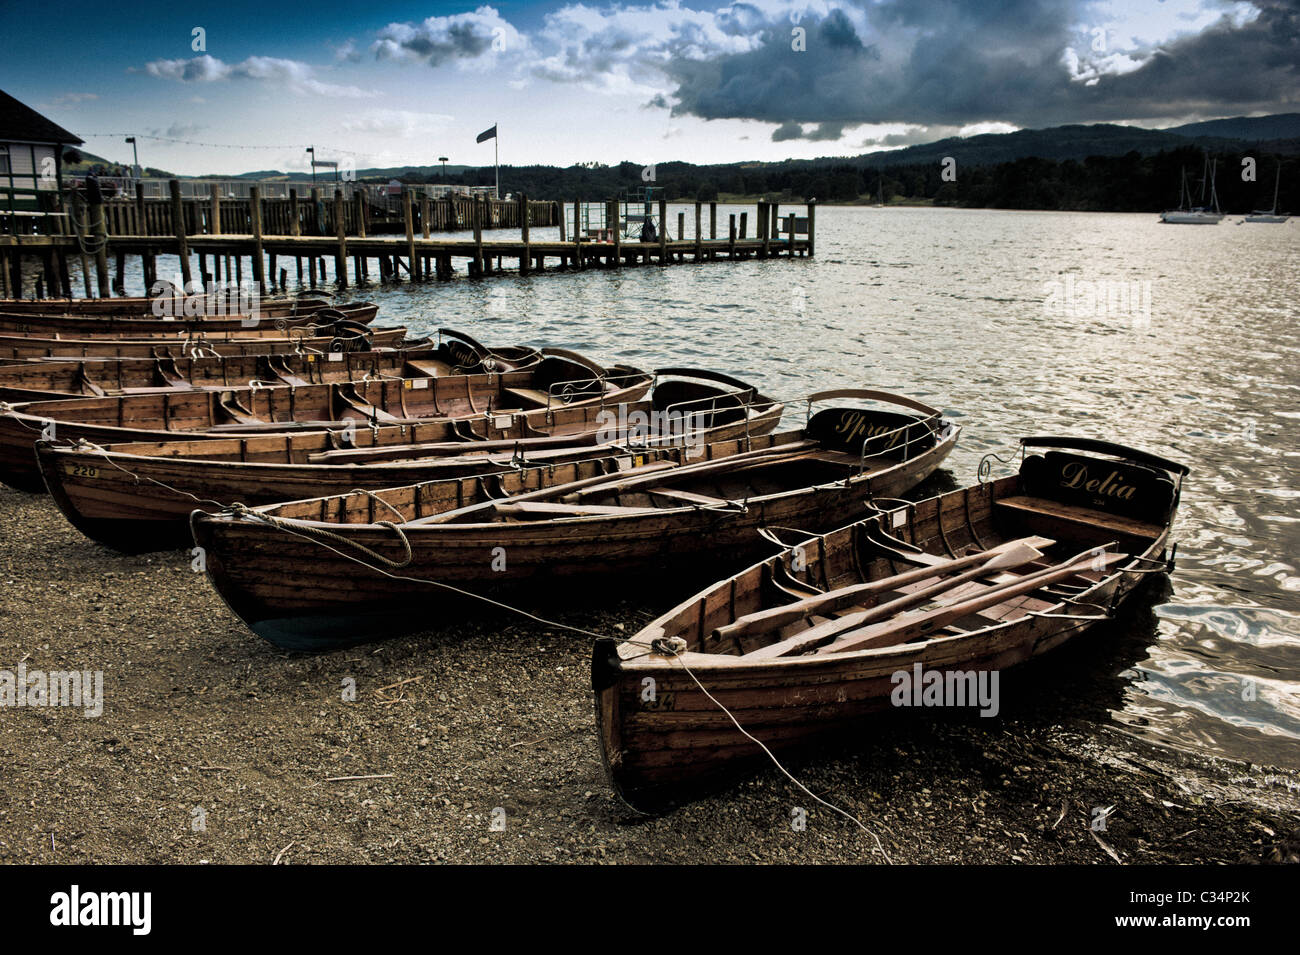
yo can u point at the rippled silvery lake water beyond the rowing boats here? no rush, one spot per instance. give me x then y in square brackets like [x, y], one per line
[955, 307]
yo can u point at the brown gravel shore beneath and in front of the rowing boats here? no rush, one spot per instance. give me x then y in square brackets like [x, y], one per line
[216, 748]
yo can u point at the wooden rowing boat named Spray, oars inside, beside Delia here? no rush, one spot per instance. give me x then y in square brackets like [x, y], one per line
[556, 531]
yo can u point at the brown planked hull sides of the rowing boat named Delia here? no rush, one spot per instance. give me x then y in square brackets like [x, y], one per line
[662, 752]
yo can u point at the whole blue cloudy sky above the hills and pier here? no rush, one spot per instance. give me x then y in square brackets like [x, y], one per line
[240, 86]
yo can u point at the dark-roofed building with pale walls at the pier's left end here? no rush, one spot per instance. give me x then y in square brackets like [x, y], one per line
[32, 158]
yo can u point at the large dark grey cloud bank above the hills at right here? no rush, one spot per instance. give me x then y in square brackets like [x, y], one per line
[954, 63]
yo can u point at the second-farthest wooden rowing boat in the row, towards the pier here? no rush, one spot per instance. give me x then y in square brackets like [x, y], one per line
[19, 325]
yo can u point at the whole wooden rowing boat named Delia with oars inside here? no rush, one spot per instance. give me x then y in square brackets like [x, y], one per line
[804, 644]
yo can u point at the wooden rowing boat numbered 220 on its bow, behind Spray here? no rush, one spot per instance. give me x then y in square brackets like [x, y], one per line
[138, 497]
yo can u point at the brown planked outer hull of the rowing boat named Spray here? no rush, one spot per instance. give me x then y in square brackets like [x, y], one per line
[300, 594]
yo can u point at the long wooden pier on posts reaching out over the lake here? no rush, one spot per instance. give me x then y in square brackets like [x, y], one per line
[320, 233]
